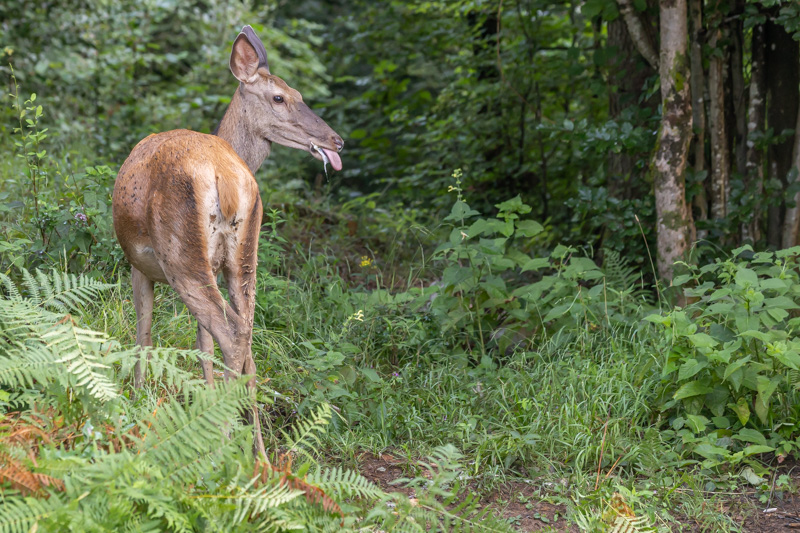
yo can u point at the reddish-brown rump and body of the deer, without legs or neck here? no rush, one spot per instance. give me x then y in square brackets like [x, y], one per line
[179, 202]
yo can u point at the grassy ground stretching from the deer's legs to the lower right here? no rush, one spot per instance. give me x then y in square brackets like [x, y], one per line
[553, 436]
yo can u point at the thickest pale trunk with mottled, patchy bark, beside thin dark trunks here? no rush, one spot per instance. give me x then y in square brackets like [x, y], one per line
[674, 219]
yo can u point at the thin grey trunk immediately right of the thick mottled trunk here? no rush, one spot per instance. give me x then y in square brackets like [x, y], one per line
[697, 83]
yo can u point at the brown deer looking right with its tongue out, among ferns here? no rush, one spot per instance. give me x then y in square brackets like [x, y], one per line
[186, 206]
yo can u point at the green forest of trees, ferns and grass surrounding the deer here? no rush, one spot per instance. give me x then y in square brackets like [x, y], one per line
[560, 258]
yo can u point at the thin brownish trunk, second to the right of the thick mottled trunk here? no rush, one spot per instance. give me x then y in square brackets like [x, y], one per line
[720, 157]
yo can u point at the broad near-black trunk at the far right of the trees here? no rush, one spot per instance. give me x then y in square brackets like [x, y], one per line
[782, 103]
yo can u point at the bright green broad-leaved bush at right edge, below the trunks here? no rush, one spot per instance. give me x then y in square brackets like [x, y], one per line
[732, 369]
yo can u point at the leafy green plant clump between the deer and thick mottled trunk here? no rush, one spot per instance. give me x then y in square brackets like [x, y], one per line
[496, 295]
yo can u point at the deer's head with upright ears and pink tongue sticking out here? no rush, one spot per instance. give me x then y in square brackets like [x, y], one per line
[272, 111]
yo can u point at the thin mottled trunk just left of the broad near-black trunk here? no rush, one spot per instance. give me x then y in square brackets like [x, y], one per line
[754, 167]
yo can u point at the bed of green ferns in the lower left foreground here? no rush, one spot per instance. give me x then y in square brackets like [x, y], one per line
[176, 458]
